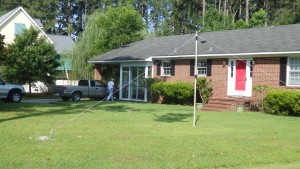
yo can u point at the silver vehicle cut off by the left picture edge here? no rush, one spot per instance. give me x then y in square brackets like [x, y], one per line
[11, 92]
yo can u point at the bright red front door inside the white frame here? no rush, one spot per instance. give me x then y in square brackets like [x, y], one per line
[240, 79]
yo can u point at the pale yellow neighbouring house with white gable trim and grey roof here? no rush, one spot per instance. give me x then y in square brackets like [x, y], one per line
[15, 21]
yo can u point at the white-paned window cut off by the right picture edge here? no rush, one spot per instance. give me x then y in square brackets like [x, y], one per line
[294, 71]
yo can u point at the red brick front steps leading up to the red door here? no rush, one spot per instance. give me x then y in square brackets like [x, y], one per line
[225, 103]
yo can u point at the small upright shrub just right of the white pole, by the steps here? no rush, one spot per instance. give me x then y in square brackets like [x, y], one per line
[204, 88]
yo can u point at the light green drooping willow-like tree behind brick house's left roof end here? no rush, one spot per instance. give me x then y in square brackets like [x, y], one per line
[106, 29]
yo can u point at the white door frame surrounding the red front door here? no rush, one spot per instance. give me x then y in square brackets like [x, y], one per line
[232, 79]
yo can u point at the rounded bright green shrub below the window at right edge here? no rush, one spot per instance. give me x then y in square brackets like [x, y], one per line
[283, 102]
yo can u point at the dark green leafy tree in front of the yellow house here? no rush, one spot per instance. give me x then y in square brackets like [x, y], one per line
[30, 58]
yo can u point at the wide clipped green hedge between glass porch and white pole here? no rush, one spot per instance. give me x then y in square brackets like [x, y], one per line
[174, 92]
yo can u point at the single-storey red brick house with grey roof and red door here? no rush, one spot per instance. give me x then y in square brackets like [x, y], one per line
[235, 60]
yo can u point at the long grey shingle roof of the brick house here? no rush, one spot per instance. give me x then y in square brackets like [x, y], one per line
[266, 40]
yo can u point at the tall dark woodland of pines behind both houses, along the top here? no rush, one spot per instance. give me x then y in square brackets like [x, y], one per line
[162, 17]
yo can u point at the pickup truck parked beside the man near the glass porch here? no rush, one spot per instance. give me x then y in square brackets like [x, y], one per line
[84, 89]
